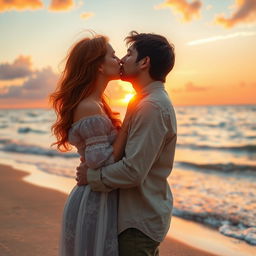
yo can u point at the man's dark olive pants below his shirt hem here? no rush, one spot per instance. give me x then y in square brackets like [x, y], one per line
[132, 242]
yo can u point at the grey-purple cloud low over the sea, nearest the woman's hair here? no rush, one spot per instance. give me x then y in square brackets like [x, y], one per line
[38, 86]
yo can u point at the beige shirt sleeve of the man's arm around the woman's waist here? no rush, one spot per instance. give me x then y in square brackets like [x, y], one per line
[145, 142]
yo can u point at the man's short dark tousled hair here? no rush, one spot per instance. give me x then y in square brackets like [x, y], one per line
[158, 49]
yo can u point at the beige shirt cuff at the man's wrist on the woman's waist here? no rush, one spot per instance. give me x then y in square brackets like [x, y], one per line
[94, 179]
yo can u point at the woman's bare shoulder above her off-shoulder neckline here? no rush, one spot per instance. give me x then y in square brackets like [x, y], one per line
[86, 108]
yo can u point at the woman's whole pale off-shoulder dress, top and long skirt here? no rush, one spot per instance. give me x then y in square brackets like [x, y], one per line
[89, 225]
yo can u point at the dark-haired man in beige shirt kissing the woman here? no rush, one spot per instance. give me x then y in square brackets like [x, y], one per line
[145, 199]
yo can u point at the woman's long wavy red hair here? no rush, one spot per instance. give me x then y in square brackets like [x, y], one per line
[75, 84]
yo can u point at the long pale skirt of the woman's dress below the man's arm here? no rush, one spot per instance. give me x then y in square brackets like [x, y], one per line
[89, 226]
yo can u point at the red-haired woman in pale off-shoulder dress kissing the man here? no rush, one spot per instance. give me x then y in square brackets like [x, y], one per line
[85, 120]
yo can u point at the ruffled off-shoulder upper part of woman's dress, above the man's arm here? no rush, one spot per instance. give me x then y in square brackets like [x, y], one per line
[95, 135]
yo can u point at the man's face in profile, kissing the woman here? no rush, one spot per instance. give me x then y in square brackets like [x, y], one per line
[130, 68]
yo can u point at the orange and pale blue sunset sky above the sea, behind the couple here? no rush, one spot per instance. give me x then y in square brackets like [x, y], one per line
[214, 45]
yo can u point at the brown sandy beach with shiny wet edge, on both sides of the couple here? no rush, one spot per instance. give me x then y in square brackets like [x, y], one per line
[20, 193]
